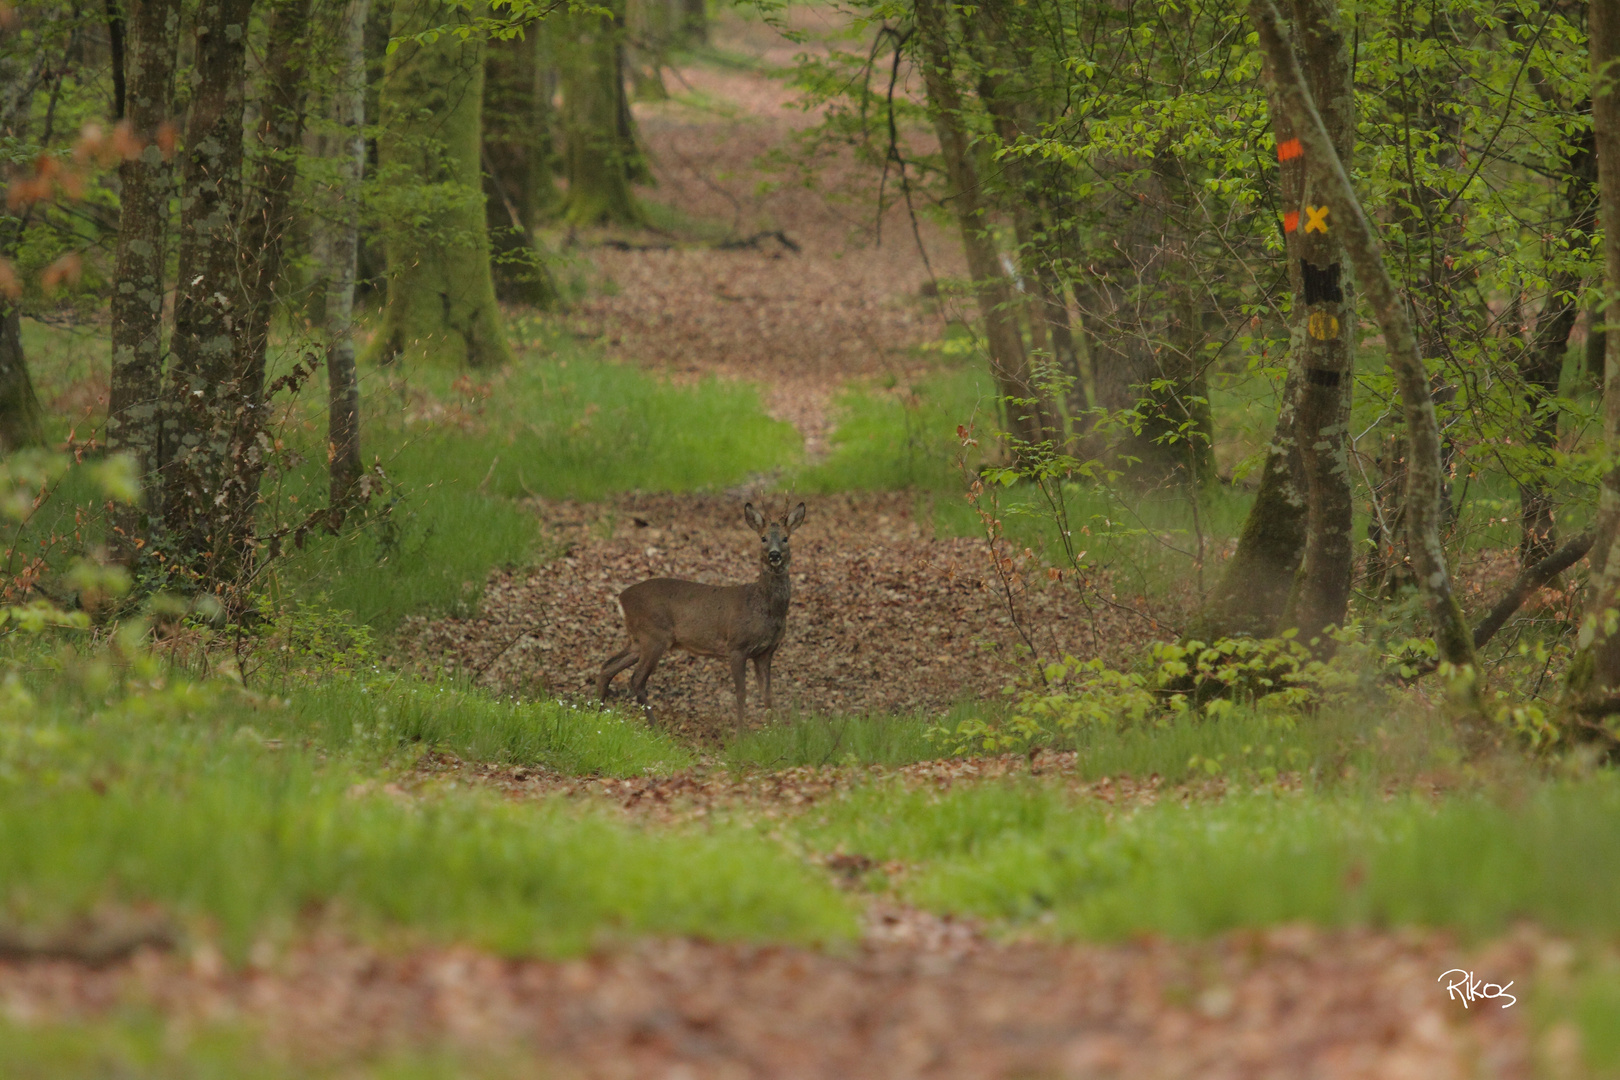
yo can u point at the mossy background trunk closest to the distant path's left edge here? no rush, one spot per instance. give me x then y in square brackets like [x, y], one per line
[600, 155]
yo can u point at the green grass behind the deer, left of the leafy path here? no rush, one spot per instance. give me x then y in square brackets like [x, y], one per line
[560, 425]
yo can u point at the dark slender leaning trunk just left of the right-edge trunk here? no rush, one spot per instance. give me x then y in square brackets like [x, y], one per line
[1541, 364]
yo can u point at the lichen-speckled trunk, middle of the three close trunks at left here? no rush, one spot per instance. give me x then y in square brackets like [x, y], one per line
[205, 396]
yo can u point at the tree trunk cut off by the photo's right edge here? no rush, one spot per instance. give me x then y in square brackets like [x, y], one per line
[1595, 674]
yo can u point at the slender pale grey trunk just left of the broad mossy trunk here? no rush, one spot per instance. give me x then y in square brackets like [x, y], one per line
[341, 249]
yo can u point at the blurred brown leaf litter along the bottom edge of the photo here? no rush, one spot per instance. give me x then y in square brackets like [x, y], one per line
[1284, 1003]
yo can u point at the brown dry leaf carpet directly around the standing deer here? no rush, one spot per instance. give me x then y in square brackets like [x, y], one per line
[885, 618]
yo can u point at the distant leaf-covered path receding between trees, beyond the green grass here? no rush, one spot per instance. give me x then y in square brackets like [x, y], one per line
[842, 304]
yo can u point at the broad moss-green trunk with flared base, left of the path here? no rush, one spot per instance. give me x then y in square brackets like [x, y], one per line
[441, 300]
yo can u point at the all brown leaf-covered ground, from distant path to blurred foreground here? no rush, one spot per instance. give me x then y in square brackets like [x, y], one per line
[889, 619]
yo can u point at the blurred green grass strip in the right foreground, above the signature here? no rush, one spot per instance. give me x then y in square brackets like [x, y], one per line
[1021, 853]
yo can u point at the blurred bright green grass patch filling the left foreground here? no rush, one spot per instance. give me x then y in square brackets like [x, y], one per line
[177, 799]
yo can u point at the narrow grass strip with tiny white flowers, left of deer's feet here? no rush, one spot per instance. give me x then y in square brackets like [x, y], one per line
[380, 718]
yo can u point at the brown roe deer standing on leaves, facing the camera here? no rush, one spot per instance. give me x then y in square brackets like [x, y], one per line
[741, 623]
